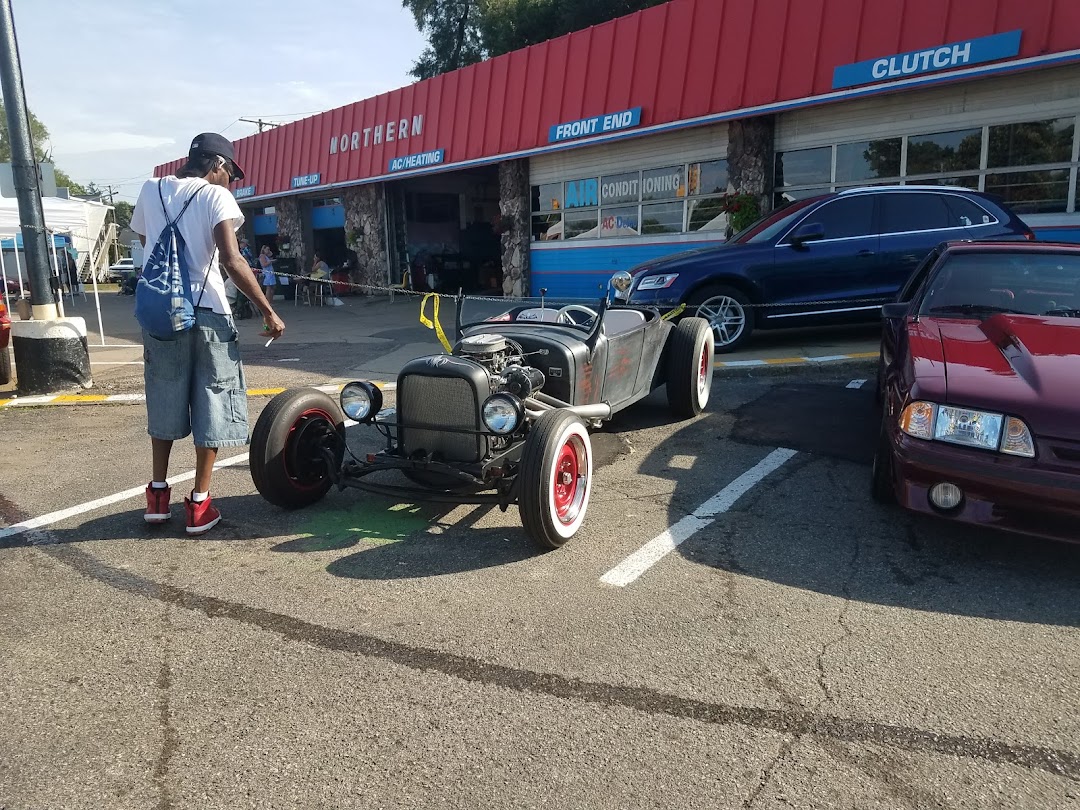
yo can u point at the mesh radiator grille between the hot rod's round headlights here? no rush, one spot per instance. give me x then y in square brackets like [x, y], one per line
[444, 401]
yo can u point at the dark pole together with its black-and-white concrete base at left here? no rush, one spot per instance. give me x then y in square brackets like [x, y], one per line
[50, 352]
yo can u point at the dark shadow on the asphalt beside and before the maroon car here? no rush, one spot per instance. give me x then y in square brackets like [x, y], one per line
[813, 524]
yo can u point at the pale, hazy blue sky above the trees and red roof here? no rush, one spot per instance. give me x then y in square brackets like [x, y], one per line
[124, 86]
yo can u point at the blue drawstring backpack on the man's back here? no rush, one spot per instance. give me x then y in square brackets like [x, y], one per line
[164, 305]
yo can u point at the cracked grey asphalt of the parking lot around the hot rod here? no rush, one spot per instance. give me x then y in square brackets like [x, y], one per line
[787, 643]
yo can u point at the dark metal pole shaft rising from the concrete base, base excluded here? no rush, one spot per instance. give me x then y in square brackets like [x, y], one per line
[25, 170]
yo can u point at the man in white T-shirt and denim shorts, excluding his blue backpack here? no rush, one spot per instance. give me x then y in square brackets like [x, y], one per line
[195, 384]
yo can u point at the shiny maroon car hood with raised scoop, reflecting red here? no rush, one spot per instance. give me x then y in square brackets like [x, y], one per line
[1024, 366]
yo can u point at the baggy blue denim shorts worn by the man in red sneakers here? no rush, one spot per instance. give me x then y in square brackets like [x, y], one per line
[196, 386]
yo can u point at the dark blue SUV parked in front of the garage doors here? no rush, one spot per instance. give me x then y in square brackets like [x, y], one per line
[828, 260]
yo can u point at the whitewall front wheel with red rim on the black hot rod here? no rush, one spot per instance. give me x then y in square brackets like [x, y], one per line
[557, 479]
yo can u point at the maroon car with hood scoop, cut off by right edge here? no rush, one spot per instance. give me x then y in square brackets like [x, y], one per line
[980, 384]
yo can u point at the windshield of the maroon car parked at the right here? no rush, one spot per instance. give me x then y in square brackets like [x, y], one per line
[1021, 282]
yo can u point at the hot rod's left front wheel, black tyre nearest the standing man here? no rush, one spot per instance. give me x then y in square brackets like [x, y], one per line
[287, 455]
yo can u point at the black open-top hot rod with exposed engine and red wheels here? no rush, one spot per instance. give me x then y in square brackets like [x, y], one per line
[505, 420]
